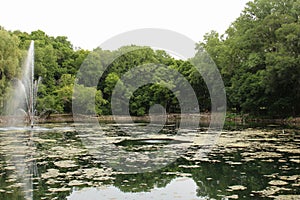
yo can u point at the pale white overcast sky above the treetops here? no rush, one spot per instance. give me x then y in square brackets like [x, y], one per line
[88, 23]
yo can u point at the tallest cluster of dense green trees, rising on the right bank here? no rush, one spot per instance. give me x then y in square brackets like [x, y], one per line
[259, 58]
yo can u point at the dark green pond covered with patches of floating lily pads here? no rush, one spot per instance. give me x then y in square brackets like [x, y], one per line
[79, 161]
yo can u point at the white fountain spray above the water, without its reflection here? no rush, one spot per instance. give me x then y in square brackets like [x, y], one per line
[22, 100]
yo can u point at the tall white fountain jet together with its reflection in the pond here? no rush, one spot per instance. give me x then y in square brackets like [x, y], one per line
[20, 106]
